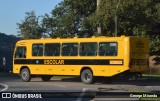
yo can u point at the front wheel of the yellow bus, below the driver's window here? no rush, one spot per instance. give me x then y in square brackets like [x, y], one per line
[25, 75]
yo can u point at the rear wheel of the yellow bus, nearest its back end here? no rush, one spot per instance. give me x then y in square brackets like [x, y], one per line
[87, 76]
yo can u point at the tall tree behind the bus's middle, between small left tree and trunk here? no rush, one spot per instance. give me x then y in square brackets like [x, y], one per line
[69, 18]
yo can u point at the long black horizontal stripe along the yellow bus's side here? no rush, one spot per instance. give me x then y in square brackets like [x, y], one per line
[69, 61]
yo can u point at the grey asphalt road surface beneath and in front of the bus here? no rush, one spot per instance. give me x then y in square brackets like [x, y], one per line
[71, 89]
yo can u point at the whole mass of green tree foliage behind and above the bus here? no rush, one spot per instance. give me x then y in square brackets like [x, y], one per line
[74, 17]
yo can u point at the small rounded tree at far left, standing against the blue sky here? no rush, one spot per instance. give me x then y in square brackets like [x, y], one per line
[30, 27]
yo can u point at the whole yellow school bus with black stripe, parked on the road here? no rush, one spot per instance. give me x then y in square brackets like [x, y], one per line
[85, 57]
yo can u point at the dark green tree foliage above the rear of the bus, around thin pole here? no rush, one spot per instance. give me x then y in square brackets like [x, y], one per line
[134, 16]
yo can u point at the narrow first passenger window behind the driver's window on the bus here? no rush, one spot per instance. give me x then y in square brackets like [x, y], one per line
[37, 50]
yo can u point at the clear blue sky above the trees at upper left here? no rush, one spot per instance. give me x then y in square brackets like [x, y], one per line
[13, 12]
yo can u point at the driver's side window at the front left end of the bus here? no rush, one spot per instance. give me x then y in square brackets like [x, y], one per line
[20, 52]
